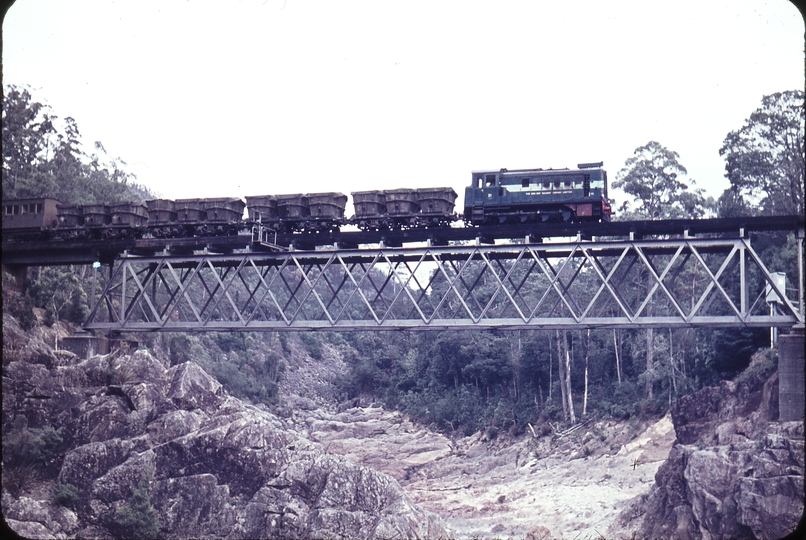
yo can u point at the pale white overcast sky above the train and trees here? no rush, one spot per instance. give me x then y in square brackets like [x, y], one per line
[253, 97]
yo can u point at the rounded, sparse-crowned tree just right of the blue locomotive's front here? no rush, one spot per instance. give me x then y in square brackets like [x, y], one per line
[653, 176]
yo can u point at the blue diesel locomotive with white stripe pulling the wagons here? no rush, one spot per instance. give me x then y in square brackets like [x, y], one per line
[538, 195]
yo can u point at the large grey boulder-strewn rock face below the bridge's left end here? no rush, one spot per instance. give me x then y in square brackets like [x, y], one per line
[208, 465]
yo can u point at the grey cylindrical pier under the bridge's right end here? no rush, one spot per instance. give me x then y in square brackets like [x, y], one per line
[791, 375]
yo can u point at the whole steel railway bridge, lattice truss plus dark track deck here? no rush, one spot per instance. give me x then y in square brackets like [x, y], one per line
[673, 273]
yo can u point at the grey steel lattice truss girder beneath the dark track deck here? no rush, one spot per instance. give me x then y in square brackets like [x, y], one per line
[687, 282]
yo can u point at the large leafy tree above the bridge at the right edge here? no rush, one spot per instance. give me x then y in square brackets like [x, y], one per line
[764, 159]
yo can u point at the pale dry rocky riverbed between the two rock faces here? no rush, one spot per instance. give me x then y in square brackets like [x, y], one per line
[570, 487]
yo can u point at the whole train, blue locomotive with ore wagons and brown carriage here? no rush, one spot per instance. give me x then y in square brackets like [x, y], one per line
[492, 198]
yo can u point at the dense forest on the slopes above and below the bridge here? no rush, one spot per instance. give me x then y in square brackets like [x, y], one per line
[461, 381]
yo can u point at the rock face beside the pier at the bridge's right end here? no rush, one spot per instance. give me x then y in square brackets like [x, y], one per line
[734, 471]
